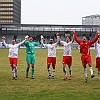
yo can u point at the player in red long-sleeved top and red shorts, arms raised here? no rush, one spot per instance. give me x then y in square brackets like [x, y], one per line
[85, 51]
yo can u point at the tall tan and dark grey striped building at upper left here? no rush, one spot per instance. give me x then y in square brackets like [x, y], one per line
[10, 11]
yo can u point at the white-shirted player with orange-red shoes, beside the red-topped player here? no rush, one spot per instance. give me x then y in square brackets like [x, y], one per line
[67, 56]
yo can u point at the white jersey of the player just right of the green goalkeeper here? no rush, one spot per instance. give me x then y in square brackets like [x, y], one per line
[51, 49]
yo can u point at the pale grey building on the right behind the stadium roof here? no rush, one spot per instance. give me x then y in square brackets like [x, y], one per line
[91, 20]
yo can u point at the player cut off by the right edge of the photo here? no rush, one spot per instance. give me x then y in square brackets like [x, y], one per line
[97, 48]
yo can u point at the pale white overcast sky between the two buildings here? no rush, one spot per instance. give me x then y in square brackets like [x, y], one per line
[67, 12]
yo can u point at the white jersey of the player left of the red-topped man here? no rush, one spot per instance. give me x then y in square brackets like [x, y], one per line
[67, 48]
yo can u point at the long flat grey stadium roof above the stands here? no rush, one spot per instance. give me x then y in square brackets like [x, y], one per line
[47, 26]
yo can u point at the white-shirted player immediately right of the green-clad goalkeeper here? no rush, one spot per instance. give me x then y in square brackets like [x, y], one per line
[51, 59]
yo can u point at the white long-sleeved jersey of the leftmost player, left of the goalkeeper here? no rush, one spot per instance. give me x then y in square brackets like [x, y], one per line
[13, 49]
